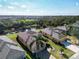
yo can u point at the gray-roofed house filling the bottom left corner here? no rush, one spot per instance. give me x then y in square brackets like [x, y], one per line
[9, 49]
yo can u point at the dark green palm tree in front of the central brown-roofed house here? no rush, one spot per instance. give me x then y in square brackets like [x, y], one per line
[40, 44]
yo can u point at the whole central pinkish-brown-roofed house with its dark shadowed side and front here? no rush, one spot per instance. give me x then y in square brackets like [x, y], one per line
[27, 40]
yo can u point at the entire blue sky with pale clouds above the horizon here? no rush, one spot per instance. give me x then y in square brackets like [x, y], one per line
[39, 7]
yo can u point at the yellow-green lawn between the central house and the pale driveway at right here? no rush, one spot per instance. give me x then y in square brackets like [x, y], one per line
[56, 54]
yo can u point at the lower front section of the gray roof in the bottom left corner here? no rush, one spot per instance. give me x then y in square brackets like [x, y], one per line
[11, 52]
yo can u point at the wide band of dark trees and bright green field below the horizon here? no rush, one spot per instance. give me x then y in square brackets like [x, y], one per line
[9, 25]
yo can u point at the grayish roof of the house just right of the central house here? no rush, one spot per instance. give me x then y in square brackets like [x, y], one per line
[56, 33]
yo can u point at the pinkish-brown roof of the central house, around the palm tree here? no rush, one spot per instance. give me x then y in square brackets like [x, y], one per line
[28, 39]
